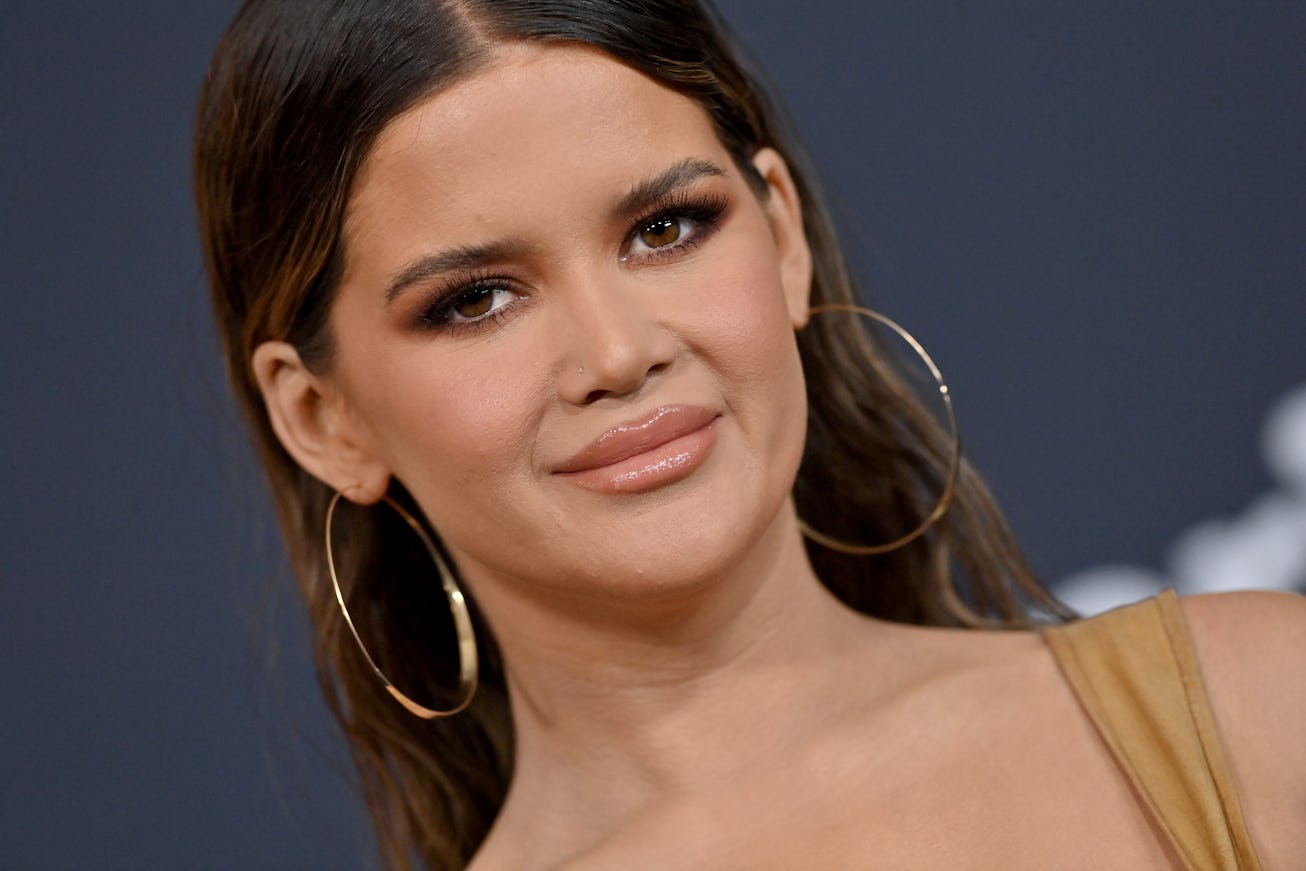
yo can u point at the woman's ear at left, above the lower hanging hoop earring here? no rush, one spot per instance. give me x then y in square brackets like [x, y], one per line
[313, 424]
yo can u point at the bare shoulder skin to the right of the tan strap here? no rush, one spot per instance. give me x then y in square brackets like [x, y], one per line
[1252, 648]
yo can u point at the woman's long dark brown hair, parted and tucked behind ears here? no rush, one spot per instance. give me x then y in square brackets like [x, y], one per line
[297, 95]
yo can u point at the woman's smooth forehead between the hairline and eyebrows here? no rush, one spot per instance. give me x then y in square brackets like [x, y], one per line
[540, 123]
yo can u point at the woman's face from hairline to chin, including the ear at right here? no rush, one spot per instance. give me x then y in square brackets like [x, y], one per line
[567, 326]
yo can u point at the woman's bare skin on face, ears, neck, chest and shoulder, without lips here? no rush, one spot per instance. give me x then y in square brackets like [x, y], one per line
[686, 694]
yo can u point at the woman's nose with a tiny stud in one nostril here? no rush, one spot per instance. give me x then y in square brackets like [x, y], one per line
[616, 344]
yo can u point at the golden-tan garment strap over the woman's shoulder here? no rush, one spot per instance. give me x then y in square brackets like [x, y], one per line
[1136, 673]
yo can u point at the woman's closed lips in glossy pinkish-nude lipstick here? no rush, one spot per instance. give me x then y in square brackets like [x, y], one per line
[642, 455]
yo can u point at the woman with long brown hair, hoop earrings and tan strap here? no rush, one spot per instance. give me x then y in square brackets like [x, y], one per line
[550, 277]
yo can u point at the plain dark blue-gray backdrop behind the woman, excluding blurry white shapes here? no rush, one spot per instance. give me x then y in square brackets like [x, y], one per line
[1091, 214]
